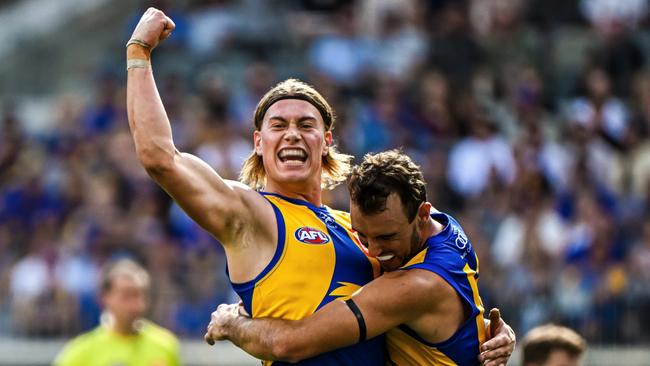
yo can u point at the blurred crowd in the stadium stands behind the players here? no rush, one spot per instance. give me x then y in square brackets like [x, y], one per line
[530, 118]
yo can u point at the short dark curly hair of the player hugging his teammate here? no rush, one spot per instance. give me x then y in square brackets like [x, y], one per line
[381, 174]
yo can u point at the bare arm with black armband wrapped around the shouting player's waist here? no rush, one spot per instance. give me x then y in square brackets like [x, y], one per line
[334, 326]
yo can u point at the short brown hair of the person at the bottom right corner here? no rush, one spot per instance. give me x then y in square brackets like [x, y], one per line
[540, 342]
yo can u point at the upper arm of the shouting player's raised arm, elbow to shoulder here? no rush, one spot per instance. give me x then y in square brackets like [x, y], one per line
[216, 204]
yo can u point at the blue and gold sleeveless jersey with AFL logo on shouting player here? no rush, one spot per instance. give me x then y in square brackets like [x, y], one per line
[317, 260]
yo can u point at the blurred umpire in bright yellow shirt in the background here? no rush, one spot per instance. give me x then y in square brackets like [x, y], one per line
[123, 337]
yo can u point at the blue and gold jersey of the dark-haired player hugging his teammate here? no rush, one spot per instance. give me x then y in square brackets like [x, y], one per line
[448, 254]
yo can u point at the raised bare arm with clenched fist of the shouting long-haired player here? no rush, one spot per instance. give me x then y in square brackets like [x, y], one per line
[211, 201]
